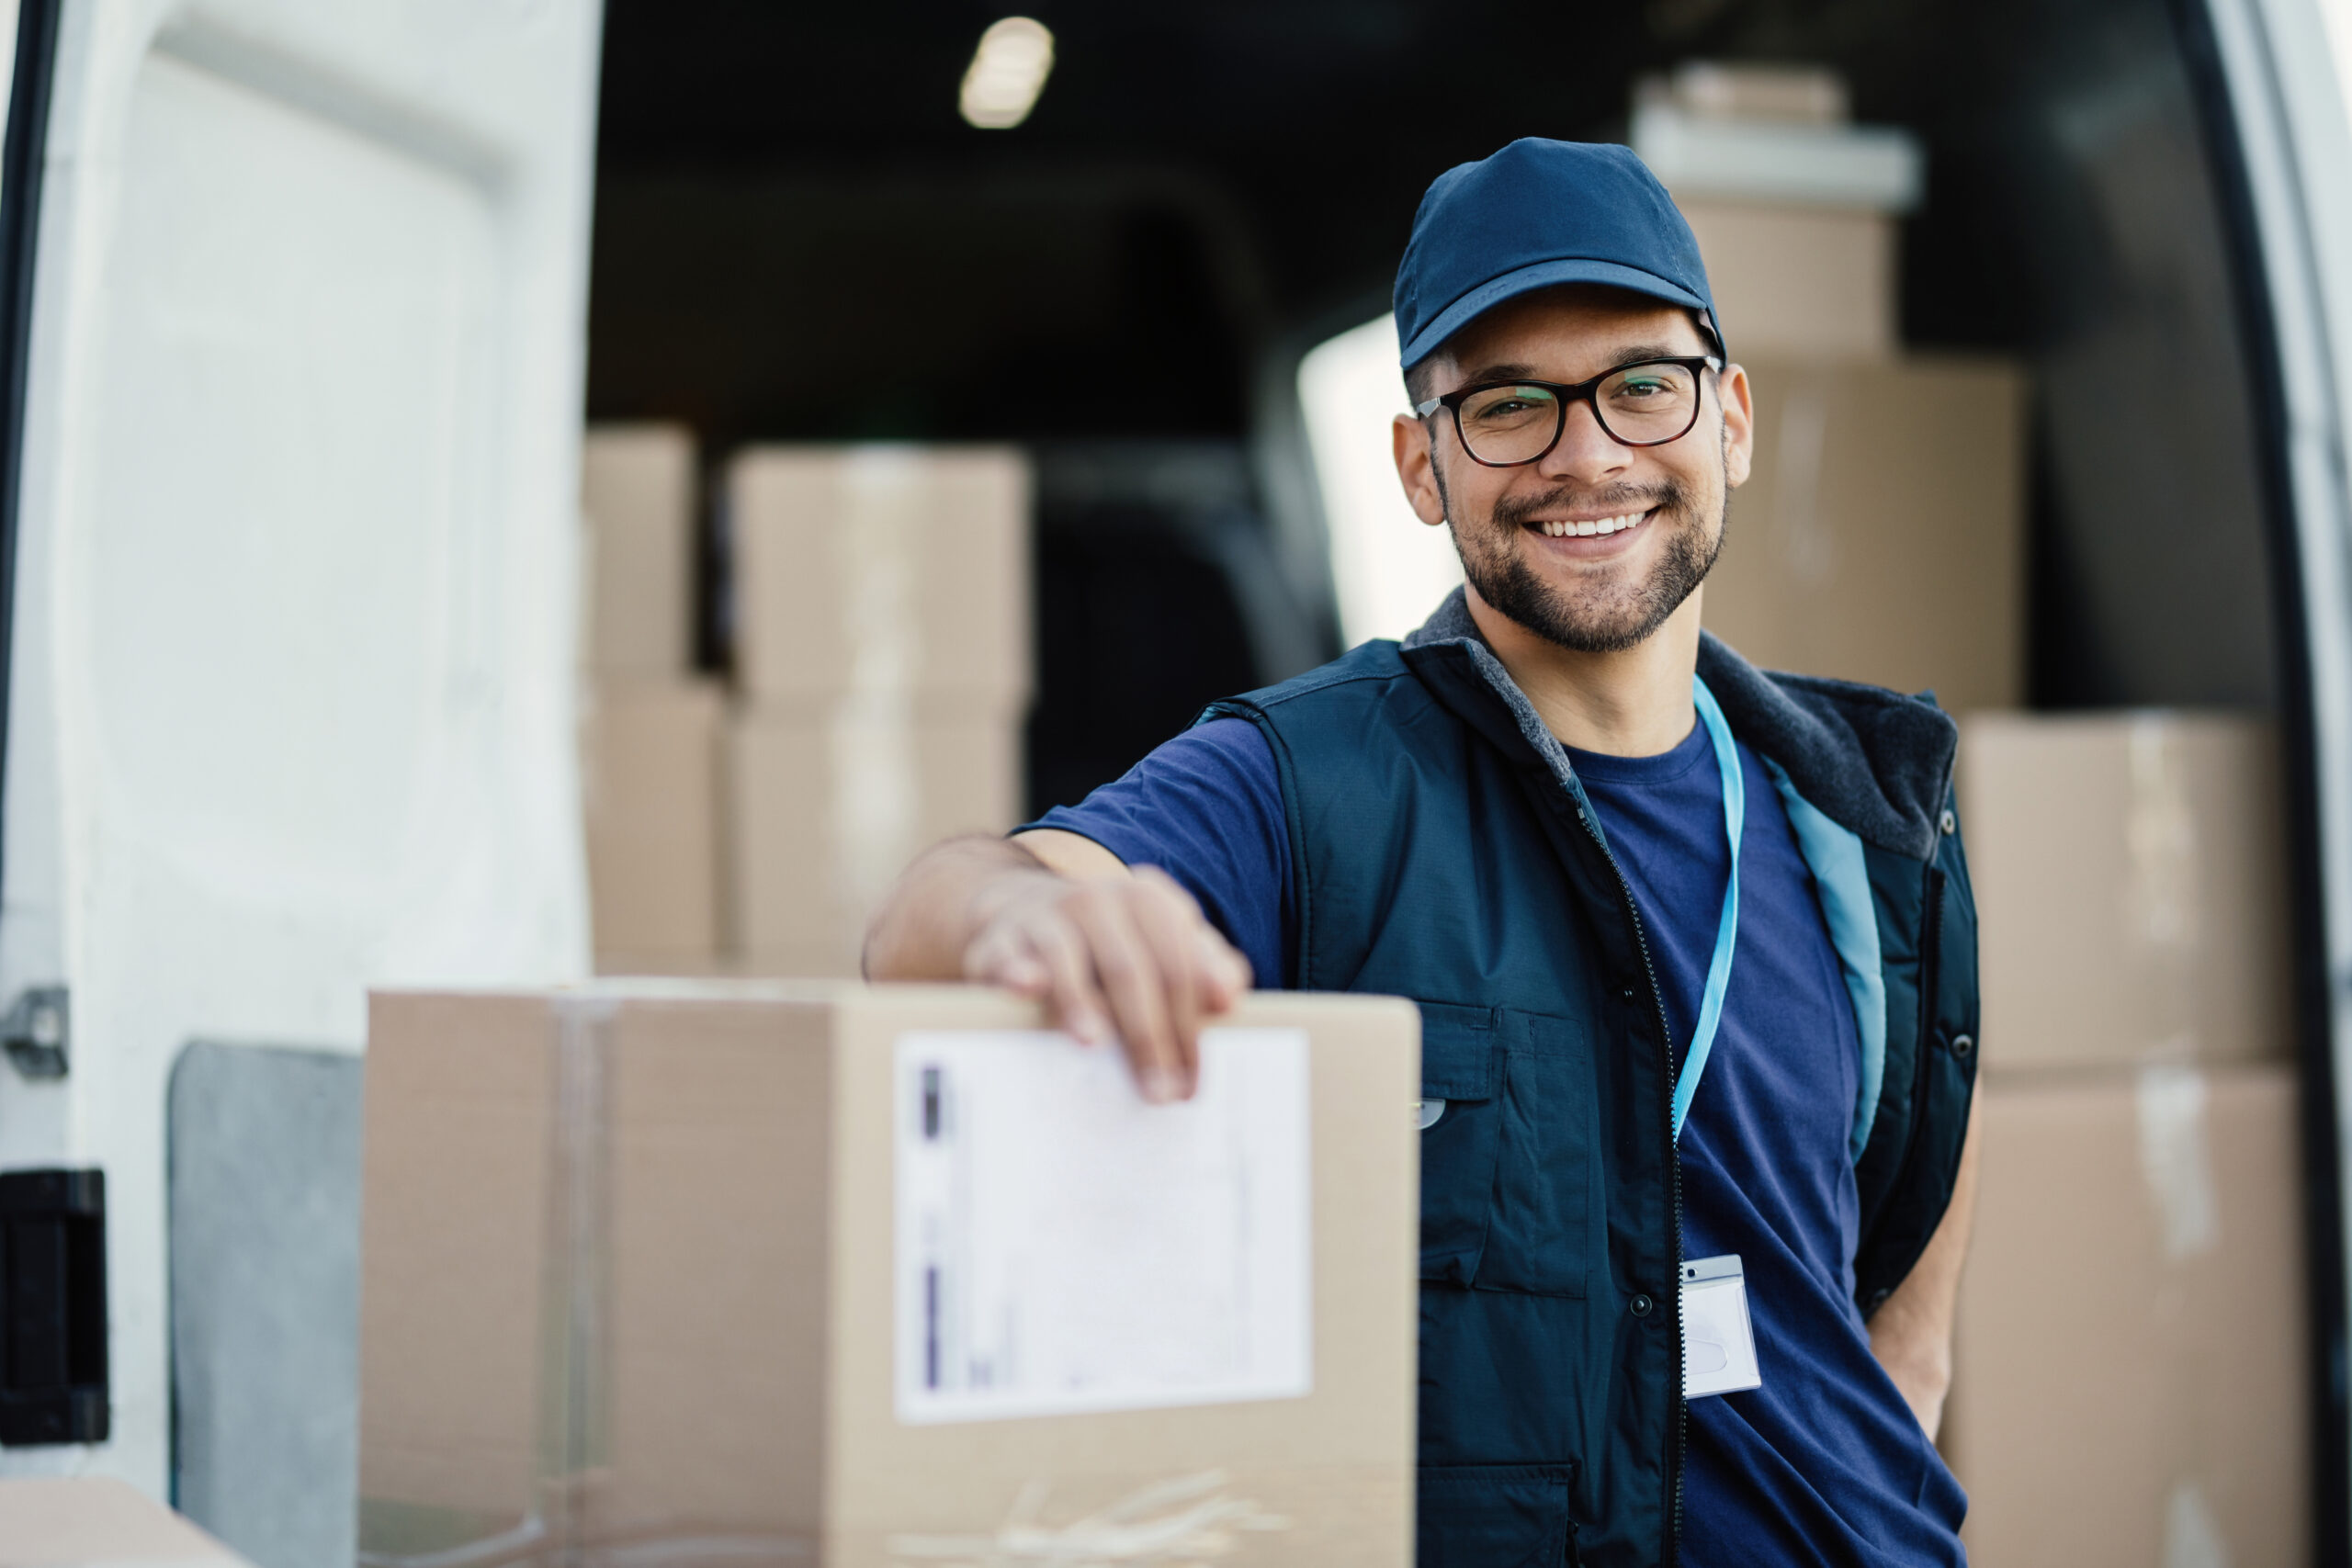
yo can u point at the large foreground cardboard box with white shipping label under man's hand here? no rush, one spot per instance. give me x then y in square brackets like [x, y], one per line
[780, 1273]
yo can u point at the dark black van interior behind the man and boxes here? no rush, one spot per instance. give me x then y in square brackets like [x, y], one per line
[801, 241]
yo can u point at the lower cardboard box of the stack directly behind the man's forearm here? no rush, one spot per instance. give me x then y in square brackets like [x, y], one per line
[831, 803]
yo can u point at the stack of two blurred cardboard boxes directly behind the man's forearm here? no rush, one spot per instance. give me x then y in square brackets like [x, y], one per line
[883, 666]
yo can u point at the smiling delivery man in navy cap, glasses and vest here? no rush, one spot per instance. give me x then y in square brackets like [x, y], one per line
[1695, 946]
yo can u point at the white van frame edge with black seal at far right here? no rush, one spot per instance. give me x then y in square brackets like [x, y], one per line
[2283, 81]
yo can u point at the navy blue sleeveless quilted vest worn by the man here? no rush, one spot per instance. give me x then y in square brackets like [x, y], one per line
[1445, 852]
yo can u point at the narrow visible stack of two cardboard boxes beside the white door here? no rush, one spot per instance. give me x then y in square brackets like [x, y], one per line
[650, 728]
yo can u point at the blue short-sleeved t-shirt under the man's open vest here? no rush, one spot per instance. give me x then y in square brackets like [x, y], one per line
[1824, 1463]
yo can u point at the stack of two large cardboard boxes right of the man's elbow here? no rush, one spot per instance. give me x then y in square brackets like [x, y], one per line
[2132, 1369]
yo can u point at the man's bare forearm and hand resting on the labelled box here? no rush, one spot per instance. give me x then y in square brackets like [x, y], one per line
[1060, 918]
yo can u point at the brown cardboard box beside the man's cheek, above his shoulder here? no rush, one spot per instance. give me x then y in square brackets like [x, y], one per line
[1883, 530]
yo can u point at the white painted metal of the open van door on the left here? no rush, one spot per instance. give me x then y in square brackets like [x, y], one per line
[293, 659]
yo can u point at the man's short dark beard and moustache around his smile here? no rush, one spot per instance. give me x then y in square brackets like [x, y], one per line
[1612, 617]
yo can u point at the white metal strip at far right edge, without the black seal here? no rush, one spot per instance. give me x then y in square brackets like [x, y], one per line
[2285, 72]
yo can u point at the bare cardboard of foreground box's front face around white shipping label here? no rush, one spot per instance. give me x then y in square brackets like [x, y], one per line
[1337, 1468]
